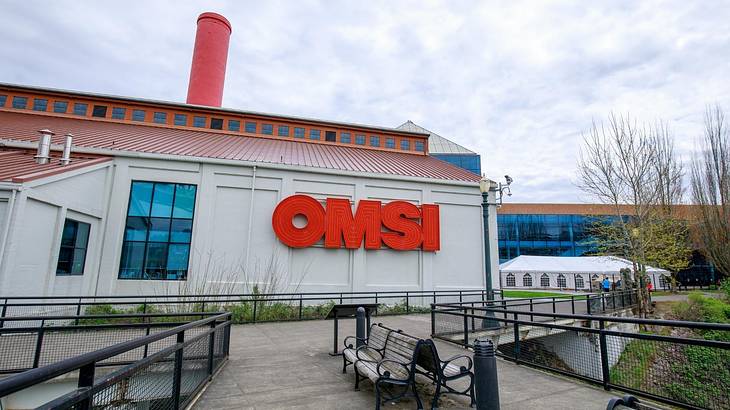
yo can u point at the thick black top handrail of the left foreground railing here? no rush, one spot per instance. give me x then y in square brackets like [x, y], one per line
[41, 374]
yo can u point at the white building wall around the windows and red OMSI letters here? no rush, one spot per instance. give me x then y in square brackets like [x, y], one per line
[233, 245]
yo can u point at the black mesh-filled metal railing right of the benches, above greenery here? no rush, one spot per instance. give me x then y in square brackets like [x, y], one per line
[681, 363]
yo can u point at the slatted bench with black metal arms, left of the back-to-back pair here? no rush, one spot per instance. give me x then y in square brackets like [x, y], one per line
[391, 363]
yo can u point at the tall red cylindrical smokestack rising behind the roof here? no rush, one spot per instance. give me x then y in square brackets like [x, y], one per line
[208, 71]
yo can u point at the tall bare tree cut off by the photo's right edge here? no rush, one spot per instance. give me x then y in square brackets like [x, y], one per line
[711, 190]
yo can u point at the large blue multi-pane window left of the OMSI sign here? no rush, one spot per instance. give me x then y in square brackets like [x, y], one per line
[158, 232]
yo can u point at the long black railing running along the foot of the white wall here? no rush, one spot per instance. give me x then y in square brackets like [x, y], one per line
[246, 308]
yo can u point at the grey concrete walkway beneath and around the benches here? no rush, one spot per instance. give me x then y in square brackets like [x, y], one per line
[287, 365]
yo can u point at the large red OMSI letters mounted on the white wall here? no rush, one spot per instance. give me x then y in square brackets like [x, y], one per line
[399, 218]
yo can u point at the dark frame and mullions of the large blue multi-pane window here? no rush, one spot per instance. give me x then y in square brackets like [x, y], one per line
[169, 233]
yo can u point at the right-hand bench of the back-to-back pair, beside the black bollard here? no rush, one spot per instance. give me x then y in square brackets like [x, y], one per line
[443, 372]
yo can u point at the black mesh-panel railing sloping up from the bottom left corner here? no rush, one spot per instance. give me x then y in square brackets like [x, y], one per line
[163, 370]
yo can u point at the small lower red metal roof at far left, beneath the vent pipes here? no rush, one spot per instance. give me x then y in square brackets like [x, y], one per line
[18, 165]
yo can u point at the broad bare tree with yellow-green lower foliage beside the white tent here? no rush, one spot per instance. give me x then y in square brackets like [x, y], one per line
[635, 170]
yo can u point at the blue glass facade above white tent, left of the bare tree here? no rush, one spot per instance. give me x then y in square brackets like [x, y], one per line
[545, 235]
